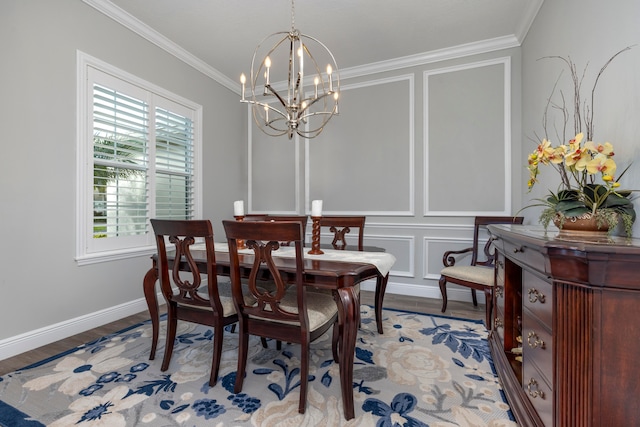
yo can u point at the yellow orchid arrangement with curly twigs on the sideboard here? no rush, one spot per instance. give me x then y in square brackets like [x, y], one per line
[589, 187]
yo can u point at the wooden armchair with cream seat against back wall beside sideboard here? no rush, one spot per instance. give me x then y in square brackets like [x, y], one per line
[479, 274]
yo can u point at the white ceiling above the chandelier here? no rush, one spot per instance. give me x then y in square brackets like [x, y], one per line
[224, 33]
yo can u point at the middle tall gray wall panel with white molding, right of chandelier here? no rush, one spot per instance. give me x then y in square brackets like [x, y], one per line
[342, 166]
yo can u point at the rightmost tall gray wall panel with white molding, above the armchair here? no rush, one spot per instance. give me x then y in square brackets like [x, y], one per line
[467, 128]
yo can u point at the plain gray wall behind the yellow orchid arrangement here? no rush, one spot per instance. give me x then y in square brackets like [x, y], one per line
[590, 32]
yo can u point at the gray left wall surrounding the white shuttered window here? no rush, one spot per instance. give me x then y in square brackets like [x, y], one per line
[43, 286]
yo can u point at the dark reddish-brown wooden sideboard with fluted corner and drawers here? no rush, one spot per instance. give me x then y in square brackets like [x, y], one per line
[566, 327]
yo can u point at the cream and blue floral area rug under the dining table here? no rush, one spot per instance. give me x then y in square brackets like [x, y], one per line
[423, 371]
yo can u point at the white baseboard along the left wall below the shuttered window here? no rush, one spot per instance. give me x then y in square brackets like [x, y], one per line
[18, 344]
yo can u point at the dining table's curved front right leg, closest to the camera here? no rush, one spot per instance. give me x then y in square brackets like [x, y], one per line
[349, 316]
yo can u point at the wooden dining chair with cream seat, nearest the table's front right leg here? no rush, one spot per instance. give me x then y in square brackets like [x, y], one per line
[285, 313]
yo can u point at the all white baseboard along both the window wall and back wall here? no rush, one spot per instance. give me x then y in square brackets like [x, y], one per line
[13, 346]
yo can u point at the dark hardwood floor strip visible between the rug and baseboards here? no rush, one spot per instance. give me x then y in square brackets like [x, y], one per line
[410, 303]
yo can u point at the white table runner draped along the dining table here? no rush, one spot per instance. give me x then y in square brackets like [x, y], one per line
[382, 260]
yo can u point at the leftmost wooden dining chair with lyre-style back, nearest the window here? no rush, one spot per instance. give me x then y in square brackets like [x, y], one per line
[188, 302]
